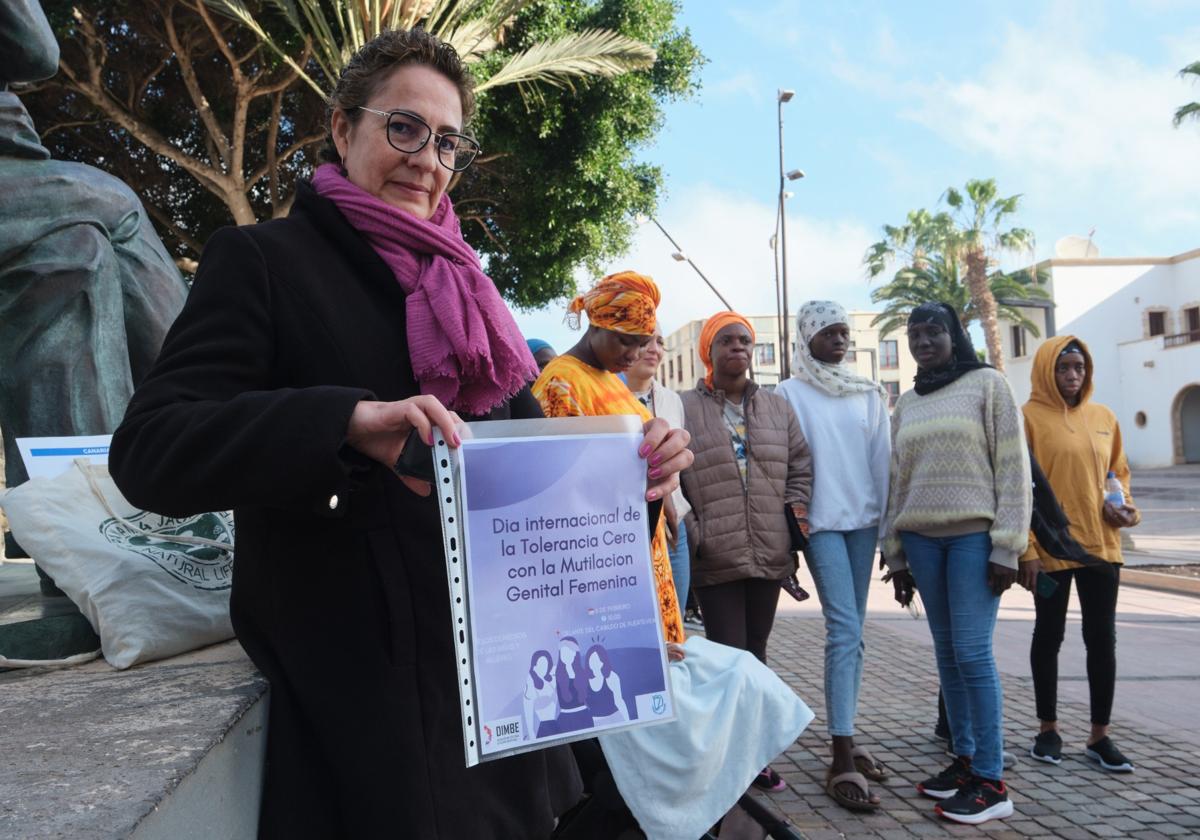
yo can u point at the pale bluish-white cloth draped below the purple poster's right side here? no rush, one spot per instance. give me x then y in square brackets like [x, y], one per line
[734, 716]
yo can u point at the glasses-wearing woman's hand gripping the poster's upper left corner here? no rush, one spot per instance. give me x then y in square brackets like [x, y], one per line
[380, 430]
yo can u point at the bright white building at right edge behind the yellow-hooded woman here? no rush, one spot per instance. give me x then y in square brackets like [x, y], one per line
[1141, 319]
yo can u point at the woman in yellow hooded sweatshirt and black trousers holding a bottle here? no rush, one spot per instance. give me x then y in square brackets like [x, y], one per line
[1078, 445]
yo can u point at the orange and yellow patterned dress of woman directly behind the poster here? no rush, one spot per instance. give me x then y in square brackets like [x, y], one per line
[571, 388]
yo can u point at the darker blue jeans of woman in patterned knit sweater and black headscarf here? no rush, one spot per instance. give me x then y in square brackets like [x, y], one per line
[952, 578]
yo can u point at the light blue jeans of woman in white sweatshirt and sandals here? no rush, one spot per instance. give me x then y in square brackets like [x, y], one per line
[841, 562]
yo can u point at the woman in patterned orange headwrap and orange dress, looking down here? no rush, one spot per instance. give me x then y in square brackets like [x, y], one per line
[583, 382]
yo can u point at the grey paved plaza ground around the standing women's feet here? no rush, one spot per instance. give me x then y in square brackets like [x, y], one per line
[1157, 704]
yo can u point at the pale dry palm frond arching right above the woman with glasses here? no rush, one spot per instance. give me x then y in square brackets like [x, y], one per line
[590, 53]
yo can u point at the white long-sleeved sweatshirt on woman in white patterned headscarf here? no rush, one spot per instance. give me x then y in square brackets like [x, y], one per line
[851, 443]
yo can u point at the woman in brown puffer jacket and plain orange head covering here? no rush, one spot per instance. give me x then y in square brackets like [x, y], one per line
[752, 460]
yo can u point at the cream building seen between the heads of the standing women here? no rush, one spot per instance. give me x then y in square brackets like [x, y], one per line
[883, 358]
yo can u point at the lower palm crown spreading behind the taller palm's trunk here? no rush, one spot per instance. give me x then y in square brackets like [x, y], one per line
[940, 279]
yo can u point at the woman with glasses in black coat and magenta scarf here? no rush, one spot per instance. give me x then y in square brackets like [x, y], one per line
[313, 353]
